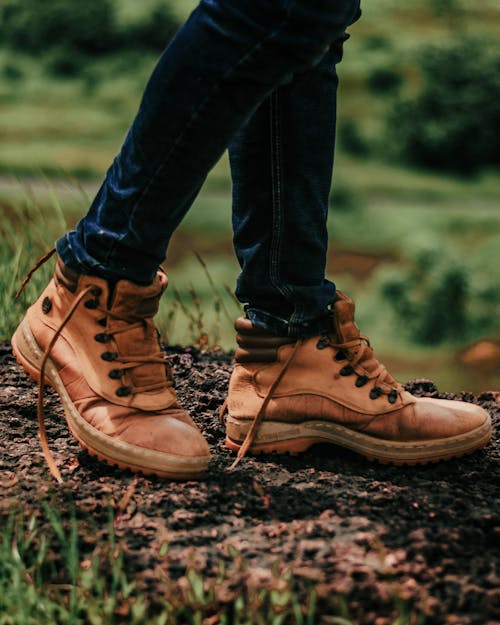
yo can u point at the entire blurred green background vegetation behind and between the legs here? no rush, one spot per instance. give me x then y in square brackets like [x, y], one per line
[415, 221]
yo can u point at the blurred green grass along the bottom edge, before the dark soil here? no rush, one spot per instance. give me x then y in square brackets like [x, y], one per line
[46, 577]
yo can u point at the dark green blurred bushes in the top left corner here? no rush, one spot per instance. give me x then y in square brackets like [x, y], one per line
[68, 33]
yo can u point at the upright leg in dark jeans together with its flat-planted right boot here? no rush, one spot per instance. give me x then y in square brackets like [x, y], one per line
[303, 372]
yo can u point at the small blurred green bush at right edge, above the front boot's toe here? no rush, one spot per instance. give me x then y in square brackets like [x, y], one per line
[437, 298]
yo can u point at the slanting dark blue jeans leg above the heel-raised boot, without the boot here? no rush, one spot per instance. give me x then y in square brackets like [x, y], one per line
[224, 61]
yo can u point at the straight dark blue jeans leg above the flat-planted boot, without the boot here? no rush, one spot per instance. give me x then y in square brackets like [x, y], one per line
[281, 164]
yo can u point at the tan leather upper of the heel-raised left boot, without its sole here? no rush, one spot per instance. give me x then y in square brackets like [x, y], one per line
[110, 361]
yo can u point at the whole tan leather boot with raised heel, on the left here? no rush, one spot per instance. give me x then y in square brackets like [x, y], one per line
[98, 347]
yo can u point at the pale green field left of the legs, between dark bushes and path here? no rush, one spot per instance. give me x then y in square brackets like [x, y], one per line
[49, 124]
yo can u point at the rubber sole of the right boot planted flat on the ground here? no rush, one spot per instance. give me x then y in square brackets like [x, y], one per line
[294, 438]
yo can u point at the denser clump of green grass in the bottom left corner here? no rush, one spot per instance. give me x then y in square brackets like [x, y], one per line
[45, 579]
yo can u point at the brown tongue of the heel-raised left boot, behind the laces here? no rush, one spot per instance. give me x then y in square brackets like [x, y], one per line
[138, 303]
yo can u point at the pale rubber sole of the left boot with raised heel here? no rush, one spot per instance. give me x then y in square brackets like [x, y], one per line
[112, 451]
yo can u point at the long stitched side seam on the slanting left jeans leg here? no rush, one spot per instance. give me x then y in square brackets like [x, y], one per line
[178, 141]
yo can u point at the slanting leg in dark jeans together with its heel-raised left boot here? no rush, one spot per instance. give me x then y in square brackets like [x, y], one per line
[91, 334]
